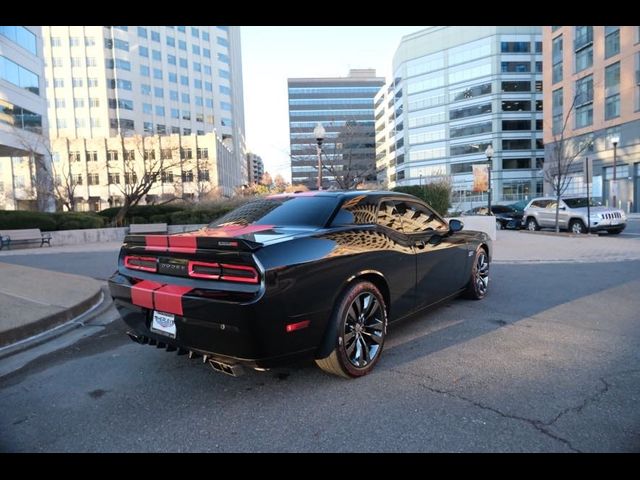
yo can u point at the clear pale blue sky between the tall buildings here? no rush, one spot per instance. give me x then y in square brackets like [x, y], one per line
[270, 55]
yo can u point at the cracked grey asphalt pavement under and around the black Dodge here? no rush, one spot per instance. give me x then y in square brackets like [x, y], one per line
[548, 362]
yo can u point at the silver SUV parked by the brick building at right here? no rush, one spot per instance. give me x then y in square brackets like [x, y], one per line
[541, 213]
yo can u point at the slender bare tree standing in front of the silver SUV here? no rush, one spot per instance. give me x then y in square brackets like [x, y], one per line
[563, 155]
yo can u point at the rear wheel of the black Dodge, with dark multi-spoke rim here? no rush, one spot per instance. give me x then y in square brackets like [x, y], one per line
[361, 315]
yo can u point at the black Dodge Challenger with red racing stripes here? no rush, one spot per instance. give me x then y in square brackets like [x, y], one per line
[316, 275]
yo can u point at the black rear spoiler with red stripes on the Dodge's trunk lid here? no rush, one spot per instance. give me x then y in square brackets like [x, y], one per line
[189, 243]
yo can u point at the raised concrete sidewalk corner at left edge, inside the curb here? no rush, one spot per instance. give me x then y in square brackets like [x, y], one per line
[33, 300]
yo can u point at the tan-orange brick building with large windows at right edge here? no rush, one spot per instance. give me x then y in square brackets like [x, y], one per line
[592, 94]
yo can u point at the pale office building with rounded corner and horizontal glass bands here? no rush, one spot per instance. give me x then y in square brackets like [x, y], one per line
[457, 90]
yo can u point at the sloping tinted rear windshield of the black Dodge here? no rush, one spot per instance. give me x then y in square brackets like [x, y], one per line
[282, 212]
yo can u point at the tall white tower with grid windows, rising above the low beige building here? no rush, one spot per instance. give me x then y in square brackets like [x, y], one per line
[147, 80]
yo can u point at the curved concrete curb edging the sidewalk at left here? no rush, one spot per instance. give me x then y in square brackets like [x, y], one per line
[57, 321]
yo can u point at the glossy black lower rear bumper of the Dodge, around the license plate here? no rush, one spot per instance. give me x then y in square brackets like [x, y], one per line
[253, 334]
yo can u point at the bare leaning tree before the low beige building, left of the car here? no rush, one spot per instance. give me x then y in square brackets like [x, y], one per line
[137, 184]
